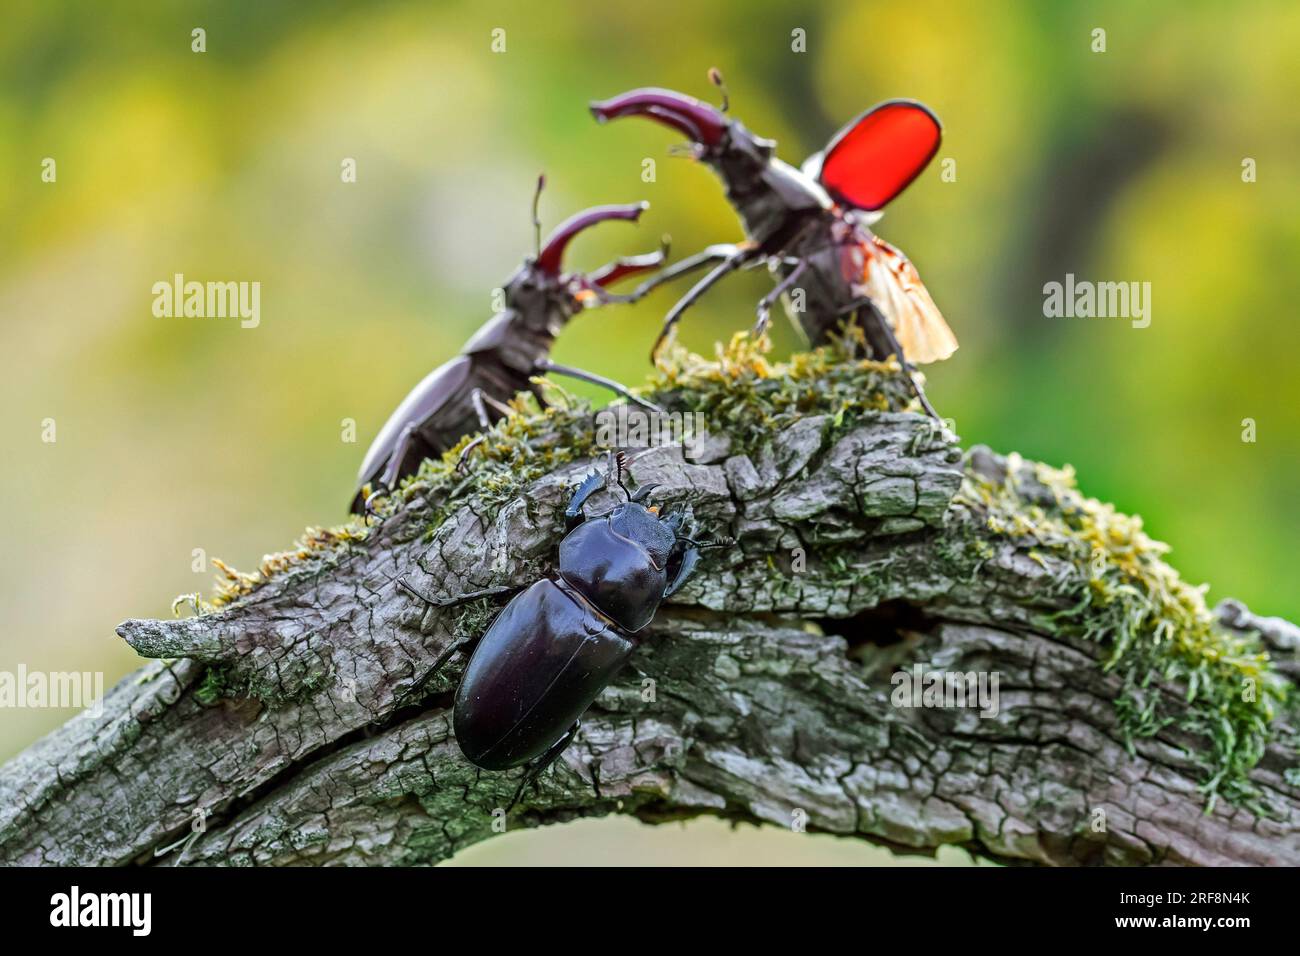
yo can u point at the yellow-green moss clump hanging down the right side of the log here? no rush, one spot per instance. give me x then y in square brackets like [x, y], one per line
[1156, 628]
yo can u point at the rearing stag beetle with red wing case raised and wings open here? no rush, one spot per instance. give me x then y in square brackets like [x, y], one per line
[811, 226]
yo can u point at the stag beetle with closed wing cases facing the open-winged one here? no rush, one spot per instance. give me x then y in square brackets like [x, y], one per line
[466, 395]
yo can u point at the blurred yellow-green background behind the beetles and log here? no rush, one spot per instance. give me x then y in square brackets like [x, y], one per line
[184, 434]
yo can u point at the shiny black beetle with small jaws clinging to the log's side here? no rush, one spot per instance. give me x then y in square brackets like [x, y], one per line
[556, 646]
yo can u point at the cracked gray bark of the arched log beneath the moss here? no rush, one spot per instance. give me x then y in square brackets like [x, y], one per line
[337, 747]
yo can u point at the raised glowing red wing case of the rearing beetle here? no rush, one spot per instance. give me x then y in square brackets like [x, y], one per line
[877, 155]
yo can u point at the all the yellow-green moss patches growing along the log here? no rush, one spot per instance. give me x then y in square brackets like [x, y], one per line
[1156, 629]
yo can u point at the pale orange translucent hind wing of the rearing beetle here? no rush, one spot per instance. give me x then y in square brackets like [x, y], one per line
[892, 283]
